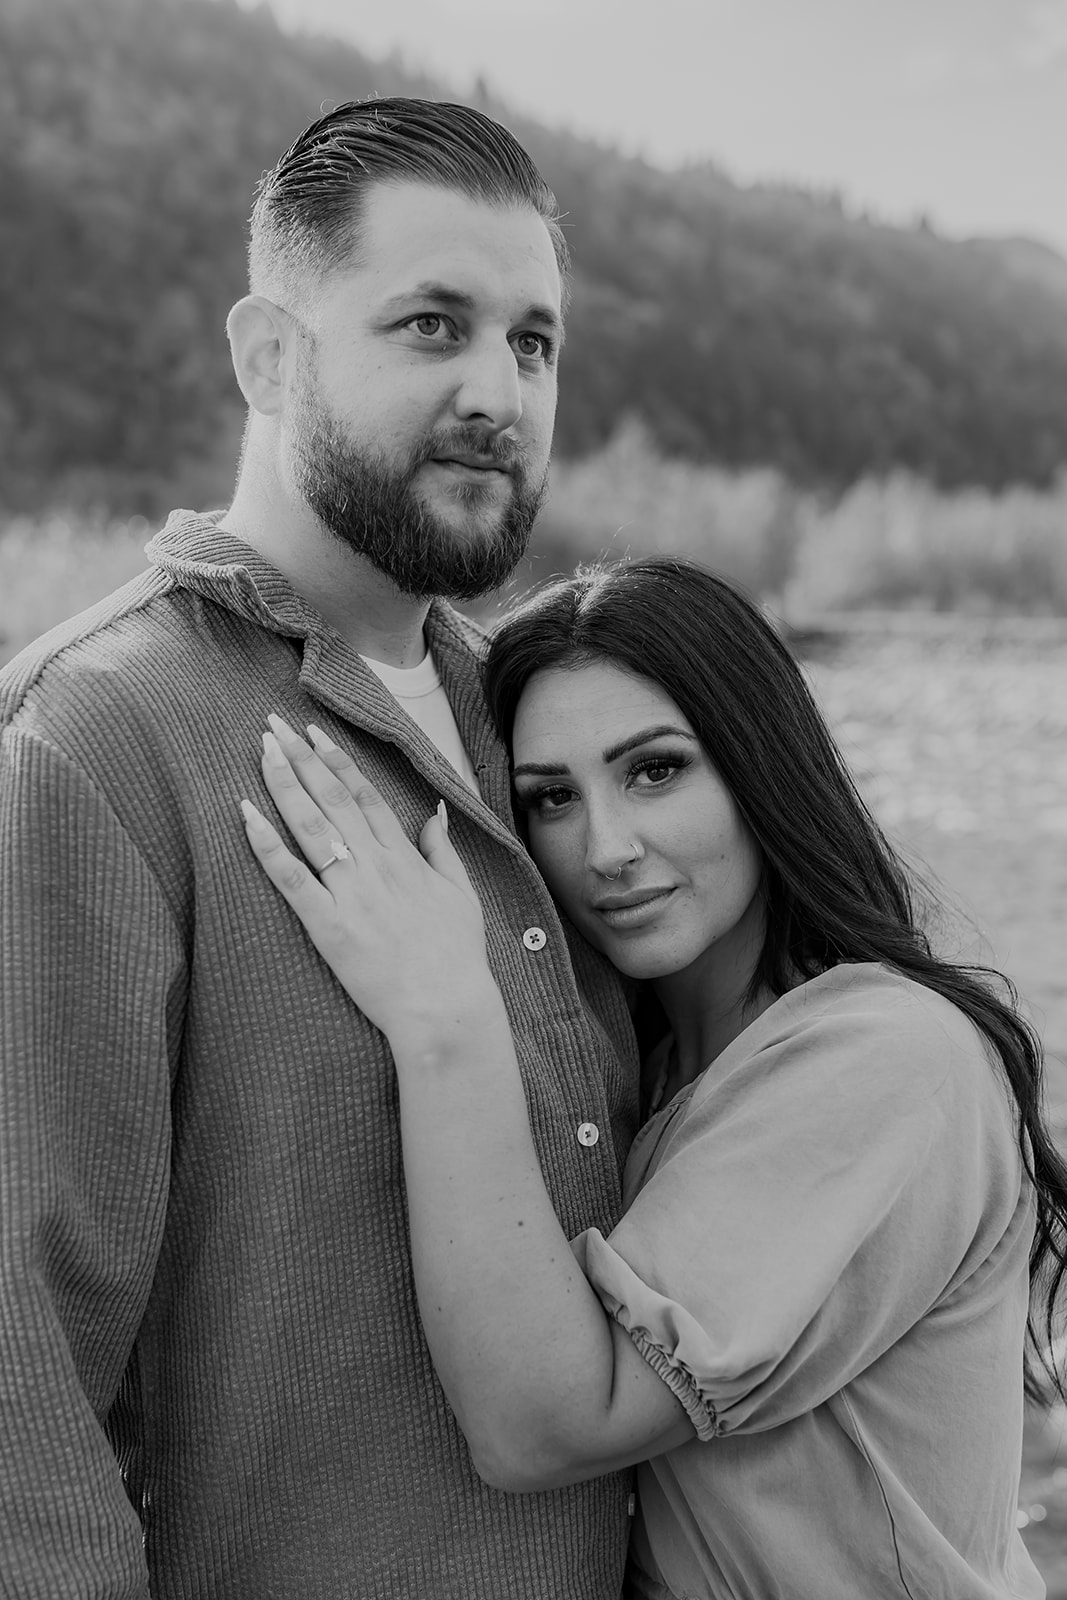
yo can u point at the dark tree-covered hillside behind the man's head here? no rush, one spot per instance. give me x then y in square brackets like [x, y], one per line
[741, 326]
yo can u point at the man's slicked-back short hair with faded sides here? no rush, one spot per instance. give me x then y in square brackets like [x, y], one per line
[308, 214]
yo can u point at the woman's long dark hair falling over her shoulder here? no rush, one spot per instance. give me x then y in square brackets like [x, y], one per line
[834, 889]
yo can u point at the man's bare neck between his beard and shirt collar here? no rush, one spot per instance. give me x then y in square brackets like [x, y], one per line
[353, 596]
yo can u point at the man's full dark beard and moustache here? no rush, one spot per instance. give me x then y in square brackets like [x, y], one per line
[372, 506]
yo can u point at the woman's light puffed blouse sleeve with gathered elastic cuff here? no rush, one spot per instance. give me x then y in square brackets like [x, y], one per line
[818, 1196]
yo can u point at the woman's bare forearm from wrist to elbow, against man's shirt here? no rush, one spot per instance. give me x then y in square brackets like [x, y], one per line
[521, 1342]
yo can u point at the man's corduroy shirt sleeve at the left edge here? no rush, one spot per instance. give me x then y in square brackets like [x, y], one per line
[92, 970]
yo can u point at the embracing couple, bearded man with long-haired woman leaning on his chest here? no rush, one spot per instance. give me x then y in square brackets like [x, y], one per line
[479, 1122]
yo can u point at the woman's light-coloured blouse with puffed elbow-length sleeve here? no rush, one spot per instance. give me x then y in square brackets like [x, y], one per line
[825, 1255]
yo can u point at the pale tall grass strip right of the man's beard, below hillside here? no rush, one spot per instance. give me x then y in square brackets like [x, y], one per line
[893, 543]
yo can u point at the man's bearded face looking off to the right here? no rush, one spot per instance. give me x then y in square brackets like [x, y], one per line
[423, 410]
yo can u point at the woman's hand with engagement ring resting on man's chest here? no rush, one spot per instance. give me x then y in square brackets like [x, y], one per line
[401, 927]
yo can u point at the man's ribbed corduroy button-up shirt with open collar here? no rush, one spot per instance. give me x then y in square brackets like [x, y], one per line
[214, 1382]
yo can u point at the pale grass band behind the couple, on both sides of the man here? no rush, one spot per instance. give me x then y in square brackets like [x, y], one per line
[890, 543]
